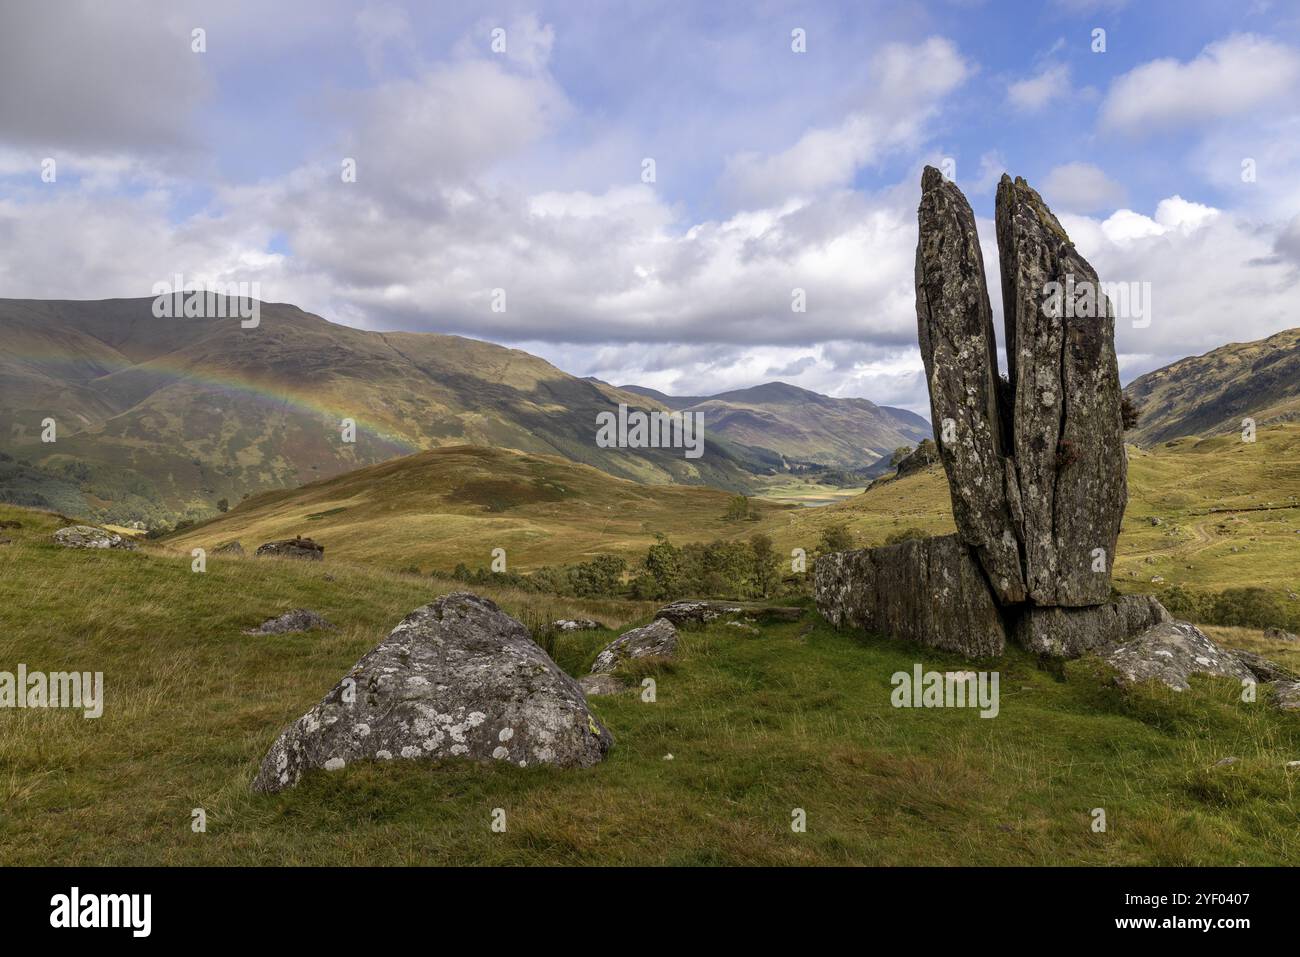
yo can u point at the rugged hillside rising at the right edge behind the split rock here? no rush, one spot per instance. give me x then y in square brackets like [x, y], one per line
[1211, 395]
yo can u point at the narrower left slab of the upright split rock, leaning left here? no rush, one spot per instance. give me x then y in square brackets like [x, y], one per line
[959, 348]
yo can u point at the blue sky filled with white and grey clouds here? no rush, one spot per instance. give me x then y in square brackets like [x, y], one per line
[522, 168]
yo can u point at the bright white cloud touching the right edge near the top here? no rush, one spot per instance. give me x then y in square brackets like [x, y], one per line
[1229, 77]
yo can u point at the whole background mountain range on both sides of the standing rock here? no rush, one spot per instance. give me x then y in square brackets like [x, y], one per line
[157, 419]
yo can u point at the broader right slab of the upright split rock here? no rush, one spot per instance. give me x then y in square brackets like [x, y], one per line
[1067, 422]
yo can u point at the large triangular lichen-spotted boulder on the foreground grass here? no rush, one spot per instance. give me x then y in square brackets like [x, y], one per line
[457, 678]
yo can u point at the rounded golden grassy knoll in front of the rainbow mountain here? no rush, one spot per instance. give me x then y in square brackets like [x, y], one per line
[437, 509]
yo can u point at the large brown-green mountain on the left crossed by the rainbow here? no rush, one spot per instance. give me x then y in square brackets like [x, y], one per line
[164, 417]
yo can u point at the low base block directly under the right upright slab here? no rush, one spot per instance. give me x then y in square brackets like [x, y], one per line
[1064, 633]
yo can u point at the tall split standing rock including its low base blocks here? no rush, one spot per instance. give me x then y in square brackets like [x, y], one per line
[1035, 465]
